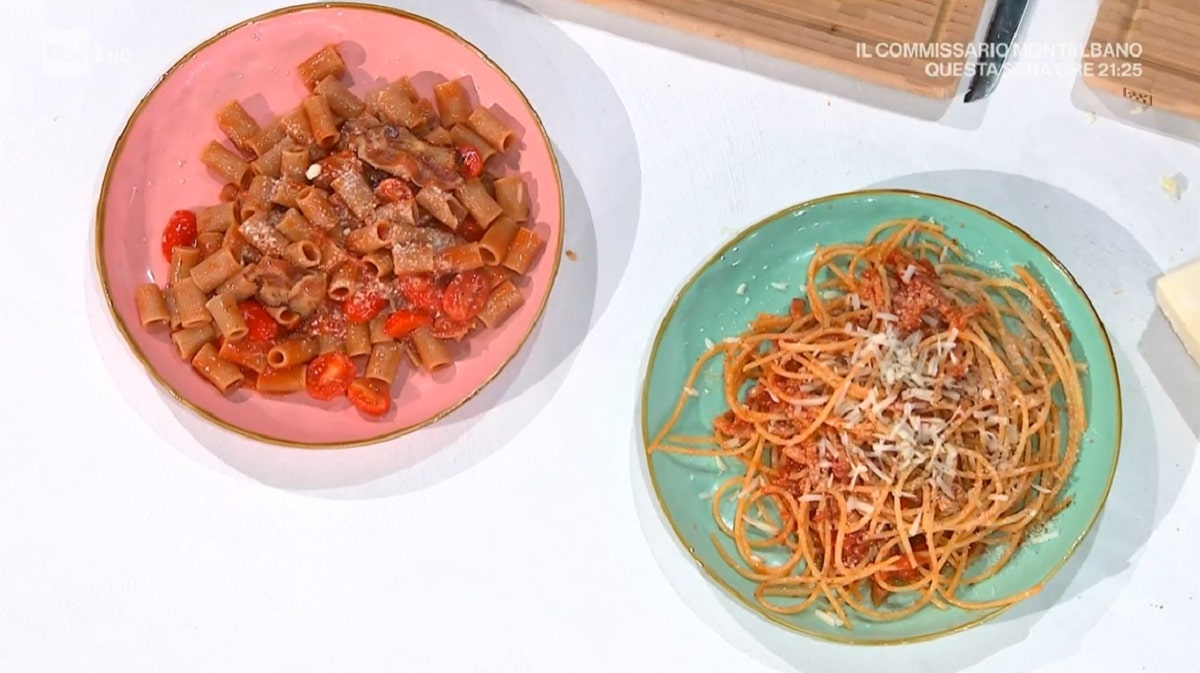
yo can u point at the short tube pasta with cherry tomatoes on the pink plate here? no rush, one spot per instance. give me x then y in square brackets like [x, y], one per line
[351, 236]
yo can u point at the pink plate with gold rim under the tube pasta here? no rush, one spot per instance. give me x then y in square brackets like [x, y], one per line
[155, 171]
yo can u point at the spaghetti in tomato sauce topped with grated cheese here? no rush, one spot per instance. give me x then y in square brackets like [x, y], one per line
[905, 417]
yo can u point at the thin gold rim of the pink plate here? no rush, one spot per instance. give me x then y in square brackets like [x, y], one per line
[119, 147]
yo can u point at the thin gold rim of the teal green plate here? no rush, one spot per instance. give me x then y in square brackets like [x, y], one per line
[743, 236]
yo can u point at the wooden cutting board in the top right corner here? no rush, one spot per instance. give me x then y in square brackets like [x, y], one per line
[1149, 52]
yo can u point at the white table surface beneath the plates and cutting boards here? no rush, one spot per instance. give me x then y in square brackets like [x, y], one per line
[521, 534]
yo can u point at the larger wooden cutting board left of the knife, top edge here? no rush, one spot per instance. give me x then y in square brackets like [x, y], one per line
[862, 39]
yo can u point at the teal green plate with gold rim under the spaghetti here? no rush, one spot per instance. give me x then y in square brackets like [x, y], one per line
[778, 251]
